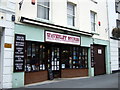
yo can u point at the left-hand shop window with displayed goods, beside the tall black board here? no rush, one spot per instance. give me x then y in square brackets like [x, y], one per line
[35, 57]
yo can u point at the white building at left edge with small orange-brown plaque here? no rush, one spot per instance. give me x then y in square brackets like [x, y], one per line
[7, 11]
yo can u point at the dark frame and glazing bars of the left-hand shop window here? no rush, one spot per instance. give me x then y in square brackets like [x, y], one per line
[40, 66]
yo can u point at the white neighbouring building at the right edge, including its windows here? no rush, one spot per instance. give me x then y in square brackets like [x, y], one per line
[114, 22]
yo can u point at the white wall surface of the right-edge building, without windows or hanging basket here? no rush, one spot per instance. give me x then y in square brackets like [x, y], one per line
[113, 43]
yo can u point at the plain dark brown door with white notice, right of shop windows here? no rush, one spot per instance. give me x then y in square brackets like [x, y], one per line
[99, 59]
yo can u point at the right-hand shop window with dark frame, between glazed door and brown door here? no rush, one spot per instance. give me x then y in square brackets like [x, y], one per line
[78, 58]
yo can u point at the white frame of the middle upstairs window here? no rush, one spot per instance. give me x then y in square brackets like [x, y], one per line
[71, 15]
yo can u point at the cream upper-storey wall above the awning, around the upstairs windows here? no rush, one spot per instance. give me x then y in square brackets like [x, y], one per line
[58, 14]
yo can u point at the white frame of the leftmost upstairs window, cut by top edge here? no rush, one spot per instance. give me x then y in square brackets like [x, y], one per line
[44, 6]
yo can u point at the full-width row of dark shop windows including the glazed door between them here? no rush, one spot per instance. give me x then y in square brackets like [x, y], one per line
[41, 56]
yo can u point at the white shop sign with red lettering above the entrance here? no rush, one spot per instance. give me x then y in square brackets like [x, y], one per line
[61, 38]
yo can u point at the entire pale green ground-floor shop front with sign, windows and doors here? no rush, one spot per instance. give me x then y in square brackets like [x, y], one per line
[50, 53]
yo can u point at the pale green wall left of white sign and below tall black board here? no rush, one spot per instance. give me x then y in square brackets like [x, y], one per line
[33, 34]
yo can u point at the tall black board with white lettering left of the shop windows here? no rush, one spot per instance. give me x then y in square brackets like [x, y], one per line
[19, 53]
